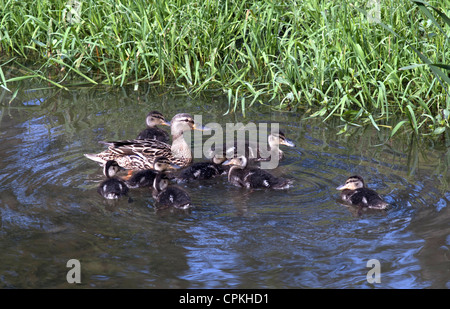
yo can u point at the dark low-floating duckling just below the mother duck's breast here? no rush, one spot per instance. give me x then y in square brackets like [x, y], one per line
[201, 171]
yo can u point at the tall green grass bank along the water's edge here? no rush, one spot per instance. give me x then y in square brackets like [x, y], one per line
[324, 56]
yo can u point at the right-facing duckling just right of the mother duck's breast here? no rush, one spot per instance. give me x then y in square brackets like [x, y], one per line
[253, 151]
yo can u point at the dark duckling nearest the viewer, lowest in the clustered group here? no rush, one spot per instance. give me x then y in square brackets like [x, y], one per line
[169, 196]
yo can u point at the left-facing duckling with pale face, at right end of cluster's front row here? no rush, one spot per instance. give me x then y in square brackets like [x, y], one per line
[242, 175]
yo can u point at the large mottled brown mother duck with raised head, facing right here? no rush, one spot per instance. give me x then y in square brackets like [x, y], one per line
[140, 154]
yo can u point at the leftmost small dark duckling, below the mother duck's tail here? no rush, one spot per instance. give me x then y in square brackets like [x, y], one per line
[112, 187]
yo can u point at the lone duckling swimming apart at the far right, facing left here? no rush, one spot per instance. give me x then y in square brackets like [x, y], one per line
[356, 193]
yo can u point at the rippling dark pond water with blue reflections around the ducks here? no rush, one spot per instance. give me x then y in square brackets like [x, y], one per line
[50, 211]
